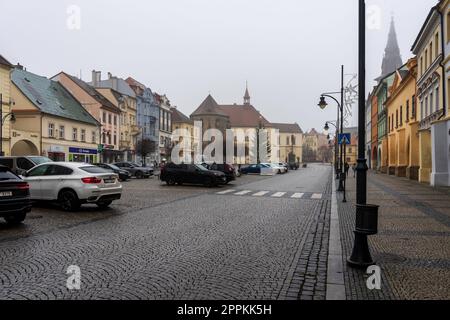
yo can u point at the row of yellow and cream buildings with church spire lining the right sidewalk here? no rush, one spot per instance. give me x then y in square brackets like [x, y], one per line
[408, 115]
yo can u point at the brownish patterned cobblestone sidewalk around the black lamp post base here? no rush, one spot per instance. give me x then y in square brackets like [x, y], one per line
[413, 244]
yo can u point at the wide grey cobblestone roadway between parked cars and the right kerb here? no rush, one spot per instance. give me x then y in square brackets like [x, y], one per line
[179, 243]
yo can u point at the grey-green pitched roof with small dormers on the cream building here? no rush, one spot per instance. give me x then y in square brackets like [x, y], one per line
[50, 97]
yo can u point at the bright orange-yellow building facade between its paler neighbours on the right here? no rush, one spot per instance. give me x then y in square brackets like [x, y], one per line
[403, 126]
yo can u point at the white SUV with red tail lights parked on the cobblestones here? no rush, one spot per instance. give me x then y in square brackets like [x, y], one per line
[73, 184]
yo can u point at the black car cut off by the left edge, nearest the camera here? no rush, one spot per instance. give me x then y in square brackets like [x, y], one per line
[15, 200]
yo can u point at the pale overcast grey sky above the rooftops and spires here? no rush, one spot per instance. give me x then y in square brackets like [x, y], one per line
[289, 50]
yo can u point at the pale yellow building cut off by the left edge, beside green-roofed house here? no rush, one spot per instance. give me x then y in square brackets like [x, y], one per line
[5, 104]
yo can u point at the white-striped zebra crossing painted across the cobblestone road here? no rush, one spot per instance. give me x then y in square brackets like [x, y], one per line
[272, 194]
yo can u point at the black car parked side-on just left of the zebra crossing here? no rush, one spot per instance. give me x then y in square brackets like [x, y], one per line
[191, 174]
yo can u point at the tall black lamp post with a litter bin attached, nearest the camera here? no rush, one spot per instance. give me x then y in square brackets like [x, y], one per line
[366, 215]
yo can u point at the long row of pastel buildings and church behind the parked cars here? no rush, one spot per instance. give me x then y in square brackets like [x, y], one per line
[67, 119]
